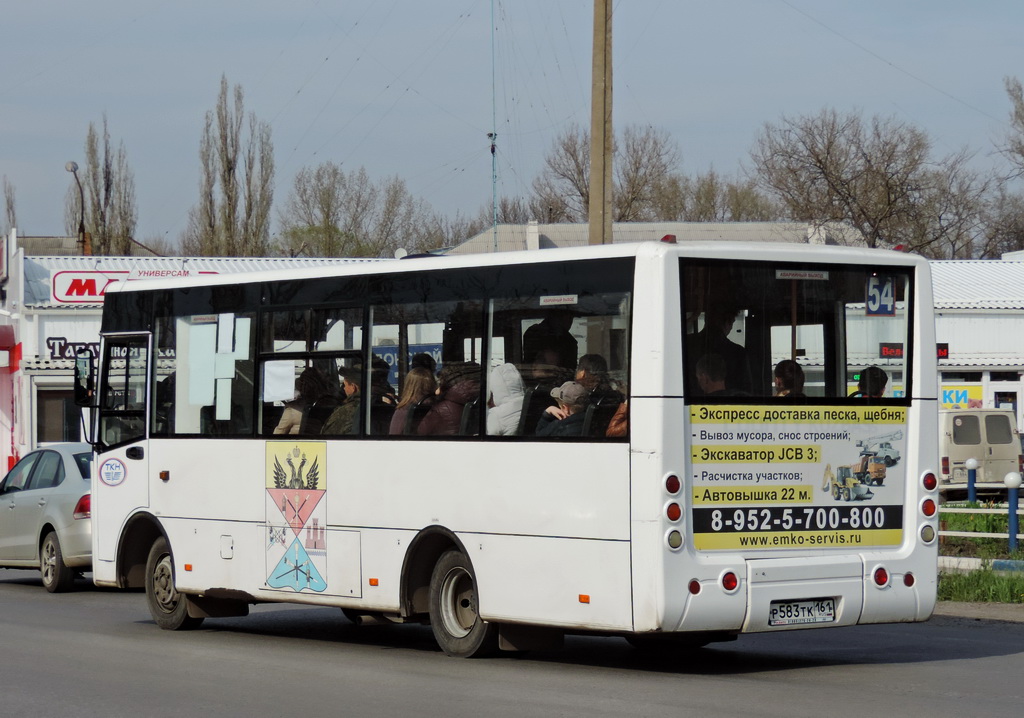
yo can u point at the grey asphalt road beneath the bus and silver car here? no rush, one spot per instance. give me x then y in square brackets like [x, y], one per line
[96, 653]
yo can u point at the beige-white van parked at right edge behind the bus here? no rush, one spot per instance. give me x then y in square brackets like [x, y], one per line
[987, 435]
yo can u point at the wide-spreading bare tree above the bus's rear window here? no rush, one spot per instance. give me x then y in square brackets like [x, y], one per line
[876, 176]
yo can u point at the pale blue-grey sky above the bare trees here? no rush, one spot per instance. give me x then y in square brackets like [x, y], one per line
[406, 89]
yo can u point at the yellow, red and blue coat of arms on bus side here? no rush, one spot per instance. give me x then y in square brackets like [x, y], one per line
[296, 516]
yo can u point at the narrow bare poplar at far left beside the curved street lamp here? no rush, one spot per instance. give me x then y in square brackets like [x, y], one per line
[109, 187]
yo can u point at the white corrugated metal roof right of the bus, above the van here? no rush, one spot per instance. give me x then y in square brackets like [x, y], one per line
[978, 284]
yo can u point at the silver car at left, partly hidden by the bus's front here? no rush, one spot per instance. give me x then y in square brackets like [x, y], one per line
[46, 515]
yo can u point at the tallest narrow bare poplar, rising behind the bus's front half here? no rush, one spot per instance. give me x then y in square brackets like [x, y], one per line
[233, 217]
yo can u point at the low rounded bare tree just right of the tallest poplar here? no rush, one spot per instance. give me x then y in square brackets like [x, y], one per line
[331, 214]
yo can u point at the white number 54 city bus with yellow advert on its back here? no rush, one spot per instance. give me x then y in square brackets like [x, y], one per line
[674, 496]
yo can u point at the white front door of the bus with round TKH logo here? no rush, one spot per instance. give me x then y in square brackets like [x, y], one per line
[122, 484]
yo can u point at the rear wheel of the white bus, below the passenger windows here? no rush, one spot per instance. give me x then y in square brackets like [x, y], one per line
[455, 618]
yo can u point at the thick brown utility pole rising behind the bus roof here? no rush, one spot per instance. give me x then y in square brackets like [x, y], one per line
[600, 207]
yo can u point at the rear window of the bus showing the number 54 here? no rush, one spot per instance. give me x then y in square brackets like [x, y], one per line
[794, 331]
